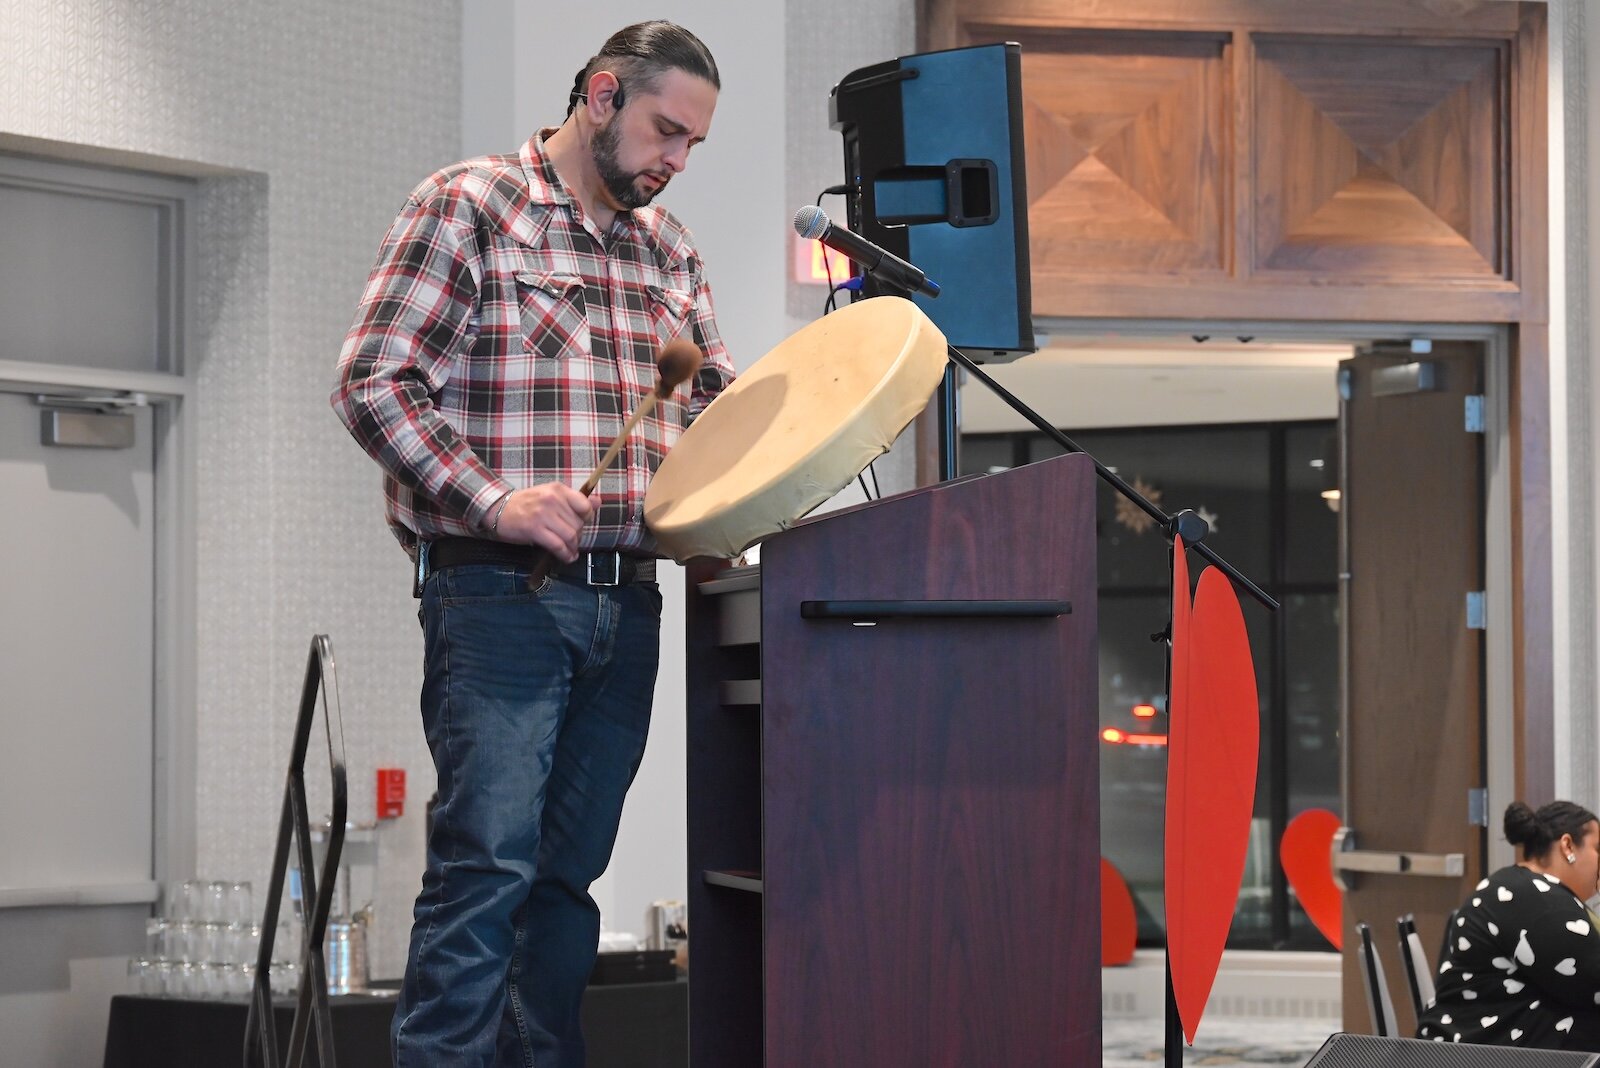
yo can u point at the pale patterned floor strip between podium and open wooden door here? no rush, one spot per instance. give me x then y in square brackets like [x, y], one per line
[1220, 1042]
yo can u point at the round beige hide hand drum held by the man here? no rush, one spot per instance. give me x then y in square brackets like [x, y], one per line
[796, 429]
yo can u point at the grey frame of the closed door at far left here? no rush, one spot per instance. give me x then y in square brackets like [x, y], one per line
[172, 397]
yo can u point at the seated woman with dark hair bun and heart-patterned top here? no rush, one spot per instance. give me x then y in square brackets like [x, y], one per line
[1522, 965]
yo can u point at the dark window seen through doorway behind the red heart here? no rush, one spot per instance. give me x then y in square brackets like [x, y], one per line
[1260, 487]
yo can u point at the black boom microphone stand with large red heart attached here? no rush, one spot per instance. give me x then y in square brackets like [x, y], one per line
[1183, 524]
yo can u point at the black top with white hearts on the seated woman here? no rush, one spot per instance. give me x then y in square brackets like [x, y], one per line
[1522, 968]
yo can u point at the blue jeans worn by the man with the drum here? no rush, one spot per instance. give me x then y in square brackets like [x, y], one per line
[537, 706]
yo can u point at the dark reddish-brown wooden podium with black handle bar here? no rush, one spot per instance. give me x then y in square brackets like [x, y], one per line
[894, 792]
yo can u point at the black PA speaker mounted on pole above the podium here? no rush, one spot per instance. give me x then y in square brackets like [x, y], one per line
[935, 164]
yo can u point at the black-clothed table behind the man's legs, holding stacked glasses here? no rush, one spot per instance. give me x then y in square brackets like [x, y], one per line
[626, 1026]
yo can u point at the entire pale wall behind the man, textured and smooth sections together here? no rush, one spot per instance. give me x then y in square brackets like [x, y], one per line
[308, 124]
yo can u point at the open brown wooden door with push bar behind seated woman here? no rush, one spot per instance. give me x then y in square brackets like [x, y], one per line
[1412, 520]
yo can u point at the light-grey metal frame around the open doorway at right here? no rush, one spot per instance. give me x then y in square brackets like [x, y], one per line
[1500, 685]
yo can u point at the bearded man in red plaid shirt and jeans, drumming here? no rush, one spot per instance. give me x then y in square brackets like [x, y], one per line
[513, 319]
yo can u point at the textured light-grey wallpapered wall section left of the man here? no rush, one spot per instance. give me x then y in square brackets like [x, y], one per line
[308, 122]
